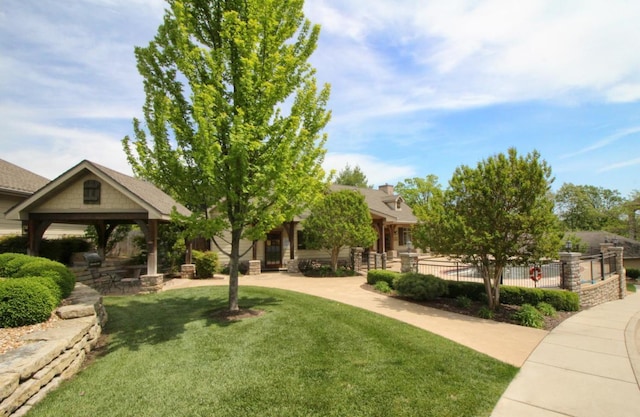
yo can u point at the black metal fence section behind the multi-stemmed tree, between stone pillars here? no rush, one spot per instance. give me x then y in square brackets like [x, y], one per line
[547, 275]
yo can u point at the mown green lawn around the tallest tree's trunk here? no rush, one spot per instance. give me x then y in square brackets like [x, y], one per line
[305, 356]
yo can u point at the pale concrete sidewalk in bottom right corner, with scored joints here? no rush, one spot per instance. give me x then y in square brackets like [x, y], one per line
[587, 366]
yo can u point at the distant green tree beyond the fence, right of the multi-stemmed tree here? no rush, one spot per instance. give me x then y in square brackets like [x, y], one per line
[586, 207]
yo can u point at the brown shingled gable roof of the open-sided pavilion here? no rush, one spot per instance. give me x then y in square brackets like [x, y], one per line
[157, 203]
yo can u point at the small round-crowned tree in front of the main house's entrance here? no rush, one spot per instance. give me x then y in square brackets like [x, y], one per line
[340, 219]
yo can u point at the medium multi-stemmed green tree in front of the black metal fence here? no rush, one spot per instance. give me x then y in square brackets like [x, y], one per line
[496, 214]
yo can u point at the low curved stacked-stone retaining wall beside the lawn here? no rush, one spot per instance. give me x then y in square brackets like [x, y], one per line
[52, 355]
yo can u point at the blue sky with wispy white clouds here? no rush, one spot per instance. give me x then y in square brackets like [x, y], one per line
[417, 87]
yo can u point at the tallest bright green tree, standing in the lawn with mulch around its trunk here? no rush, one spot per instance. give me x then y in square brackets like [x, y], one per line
[234, 115]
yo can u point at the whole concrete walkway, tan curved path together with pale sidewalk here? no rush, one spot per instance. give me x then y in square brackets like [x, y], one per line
[587, 366]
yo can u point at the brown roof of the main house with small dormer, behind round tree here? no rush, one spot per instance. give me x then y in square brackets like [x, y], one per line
[383, 204]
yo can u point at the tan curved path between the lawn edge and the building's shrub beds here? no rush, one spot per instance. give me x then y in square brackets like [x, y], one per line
[506, 342]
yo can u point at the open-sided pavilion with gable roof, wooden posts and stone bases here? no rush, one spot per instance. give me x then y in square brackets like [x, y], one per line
[91, 194]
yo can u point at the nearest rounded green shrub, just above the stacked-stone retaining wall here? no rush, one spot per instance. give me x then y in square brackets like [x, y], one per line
[24, 302]
